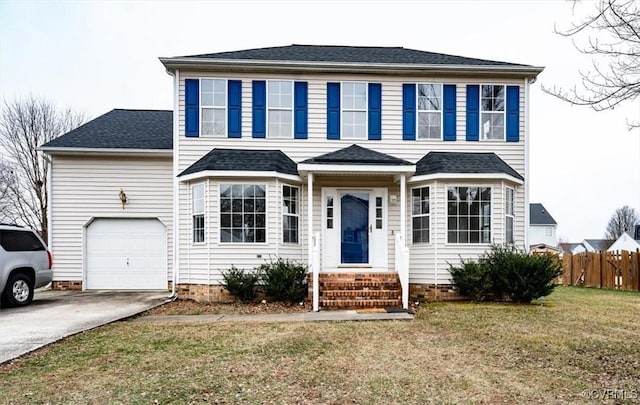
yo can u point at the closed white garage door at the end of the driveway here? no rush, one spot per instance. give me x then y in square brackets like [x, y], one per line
[126, 254]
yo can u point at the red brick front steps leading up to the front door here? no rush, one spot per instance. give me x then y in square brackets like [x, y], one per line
[359, 290]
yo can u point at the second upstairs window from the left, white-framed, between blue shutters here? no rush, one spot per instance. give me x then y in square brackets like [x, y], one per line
[280, 109]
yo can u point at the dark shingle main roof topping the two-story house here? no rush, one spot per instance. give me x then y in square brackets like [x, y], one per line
[350, 54]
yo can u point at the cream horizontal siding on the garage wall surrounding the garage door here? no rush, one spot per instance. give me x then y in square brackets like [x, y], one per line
[87, 187]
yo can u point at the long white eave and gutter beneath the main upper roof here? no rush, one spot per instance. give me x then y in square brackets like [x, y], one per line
[515, 71]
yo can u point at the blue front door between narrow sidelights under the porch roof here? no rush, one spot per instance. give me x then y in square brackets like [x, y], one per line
[354, 229]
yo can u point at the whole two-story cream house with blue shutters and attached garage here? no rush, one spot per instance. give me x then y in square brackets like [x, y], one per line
[364, 163]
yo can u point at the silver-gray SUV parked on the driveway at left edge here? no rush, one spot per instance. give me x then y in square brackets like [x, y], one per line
[25, 264]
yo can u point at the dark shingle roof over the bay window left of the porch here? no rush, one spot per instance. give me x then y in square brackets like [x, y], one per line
[244, 160]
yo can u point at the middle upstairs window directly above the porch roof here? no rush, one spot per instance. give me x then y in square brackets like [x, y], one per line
[354, 110]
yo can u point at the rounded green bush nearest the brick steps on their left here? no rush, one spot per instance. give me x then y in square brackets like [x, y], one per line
[284, 280]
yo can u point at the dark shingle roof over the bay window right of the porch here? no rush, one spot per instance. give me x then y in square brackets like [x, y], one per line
[461, 162]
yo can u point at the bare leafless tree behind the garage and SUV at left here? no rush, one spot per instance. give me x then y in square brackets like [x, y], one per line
[24, 126]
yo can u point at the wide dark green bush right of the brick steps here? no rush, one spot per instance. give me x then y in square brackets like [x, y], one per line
[506, 271]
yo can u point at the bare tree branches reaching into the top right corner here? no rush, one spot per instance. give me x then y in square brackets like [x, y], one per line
[612, 34]
